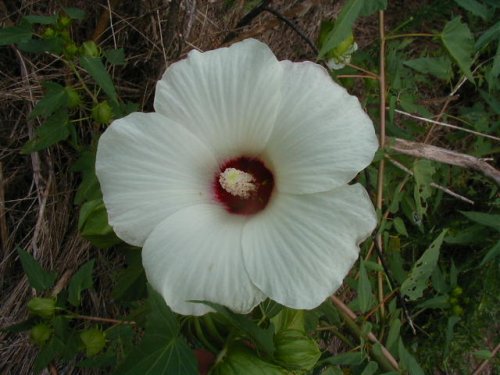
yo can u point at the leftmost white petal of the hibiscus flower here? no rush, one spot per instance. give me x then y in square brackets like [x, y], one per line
[149, 167]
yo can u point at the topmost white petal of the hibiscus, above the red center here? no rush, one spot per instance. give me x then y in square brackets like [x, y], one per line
[228, 97]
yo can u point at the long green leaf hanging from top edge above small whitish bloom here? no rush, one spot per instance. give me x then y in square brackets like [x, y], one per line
[343, 26]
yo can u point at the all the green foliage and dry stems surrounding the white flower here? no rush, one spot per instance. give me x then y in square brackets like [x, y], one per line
[422, 299]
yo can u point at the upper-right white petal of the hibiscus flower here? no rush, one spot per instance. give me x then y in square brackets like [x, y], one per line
[322, 137]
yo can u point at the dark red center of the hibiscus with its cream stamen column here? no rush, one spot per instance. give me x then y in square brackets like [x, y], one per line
[243, 185]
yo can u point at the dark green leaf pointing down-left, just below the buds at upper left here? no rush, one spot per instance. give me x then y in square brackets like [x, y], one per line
[55, 129]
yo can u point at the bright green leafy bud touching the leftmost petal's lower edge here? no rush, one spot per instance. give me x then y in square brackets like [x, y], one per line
[93, 224]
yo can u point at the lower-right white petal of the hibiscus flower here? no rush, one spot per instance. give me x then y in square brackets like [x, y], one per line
[299, 249]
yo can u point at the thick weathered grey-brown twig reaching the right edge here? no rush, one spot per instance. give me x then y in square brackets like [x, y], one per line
[442, 155]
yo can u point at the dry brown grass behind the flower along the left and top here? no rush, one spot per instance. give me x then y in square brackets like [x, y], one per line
[36, 191]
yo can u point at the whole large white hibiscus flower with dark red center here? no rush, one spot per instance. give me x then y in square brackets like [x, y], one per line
[237, 186]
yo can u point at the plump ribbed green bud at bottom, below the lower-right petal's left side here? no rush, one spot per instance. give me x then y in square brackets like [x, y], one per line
[295, 350]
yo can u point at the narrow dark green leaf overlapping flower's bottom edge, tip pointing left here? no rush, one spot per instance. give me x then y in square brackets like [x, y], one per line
[263, 337]
